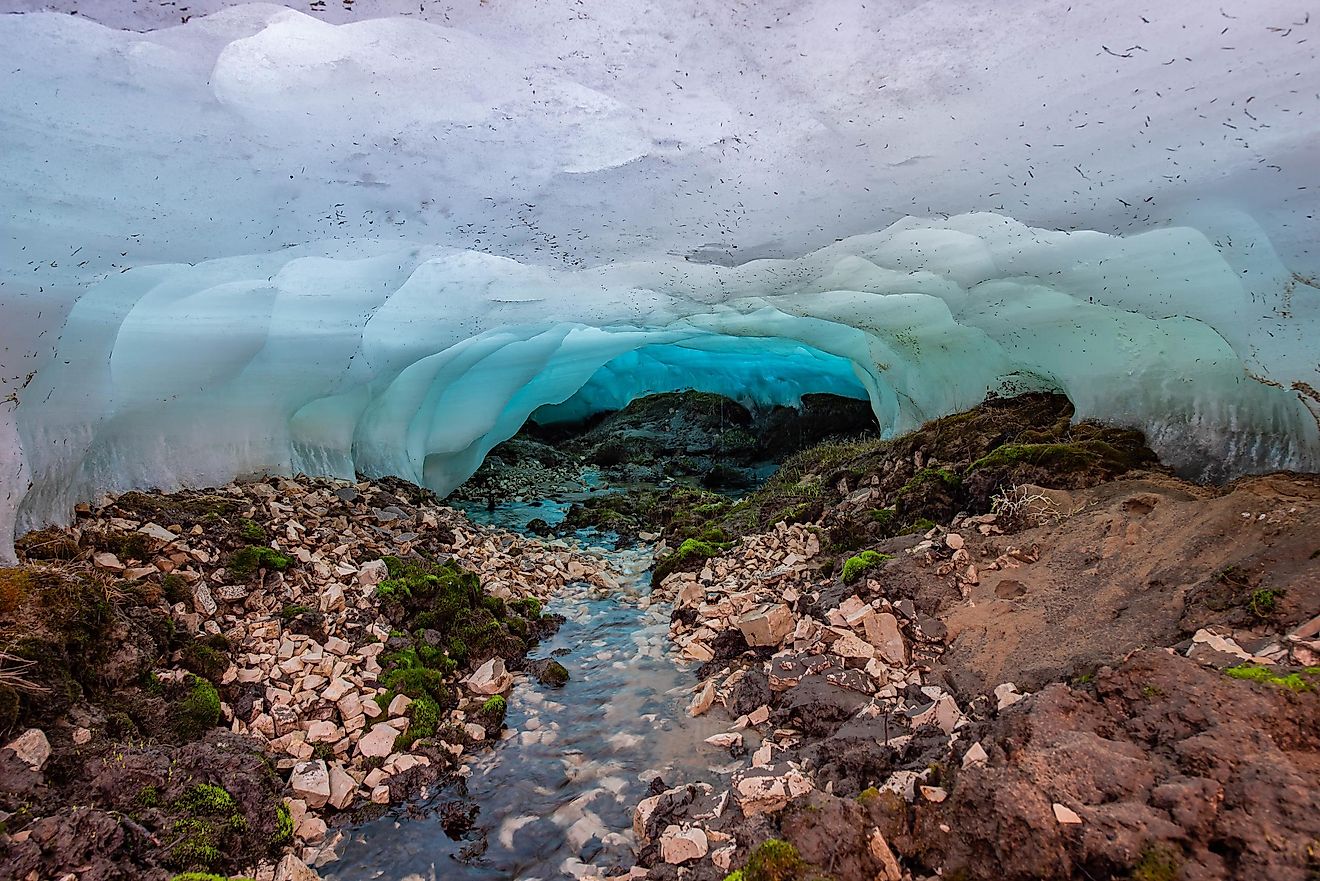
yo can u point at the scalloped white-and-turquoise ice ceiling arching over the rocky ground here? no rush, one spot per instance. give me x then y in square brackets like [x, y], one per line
[377, 237]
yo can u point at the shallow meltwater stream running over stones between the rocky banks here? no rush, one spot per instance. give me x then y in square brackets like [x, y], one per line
[556, 796]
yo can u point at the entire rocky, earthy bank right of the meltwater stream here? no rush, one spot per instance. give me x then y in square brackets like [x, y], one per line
[1113, 681]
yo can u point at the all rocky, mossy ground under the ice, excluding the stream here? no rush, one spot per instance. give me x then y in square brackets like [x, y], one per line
[1004, 647]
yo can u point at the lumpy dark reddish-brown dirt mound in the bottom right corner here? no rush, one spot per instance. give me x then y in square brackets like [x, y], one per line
[1174, 771]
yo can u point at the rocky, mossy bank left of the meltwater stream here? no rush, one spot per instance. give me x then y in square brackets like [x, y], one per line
[225, 681]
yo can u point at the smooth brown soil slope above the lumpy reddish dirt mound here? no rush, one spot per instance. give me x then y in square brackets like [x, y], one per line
[1128, 565]
